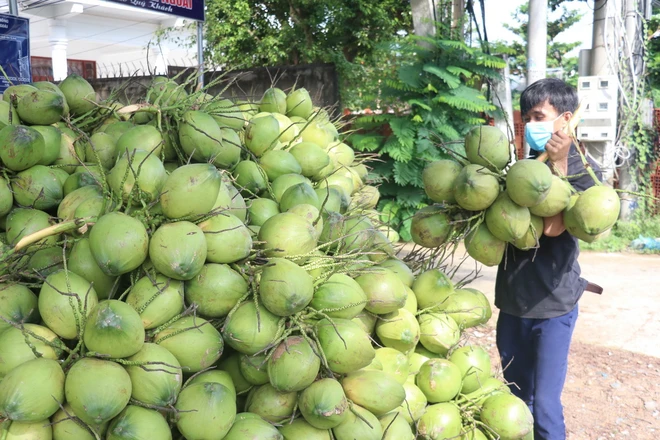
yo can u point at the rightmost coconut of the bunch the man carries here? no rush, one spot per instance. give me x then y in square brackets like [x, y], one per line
[596, 209]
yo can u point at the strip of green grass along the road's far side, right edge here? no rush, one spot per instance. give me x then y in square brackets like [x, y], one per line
[624, 233]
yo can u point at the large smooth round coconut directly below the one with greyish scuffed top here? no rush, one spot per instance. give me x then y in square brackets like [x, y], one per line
[97, 390]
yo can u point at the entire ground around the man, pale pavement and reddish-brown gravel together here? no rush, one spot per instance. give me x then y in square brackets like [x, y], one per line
[613, 386]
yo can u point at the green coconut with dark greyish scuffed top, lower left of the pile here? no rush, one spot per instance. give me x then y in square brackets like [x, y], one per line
[114, 329]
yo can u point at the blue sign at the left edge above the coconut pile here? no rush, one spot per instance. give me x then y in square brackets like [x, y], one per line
[14, 51]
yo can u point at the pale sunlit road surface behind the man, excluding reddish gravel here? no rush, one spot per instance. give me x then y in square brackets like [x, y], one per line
[626, 316]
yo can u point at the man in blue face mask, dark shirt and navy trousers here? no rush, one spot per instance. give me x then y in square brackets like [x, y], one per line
[537, 290]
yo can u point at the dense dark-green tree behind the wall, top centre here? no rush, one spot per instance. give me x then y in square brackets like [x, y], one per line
[248, 33]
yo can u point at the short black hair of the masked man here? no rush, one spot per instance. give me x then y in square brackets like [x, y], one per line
[560, 95]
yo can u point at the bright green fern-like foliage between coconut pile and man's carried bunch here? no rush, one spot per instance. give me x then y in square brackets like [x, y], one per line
[436, 97]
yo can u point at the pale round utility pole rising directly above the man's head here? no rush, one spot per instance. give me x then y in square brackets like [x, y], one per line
[537, 40]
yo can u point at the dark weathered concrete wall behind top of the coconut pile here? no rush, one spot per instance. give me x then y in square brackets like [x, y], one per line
[320, 80]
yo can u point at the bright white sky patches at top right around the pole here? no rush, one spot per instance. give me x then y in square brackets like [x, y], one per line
[501, 11]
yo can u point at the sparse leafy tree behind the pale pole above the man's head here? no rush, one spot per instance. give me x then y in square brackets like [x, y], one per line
[556, 51]
